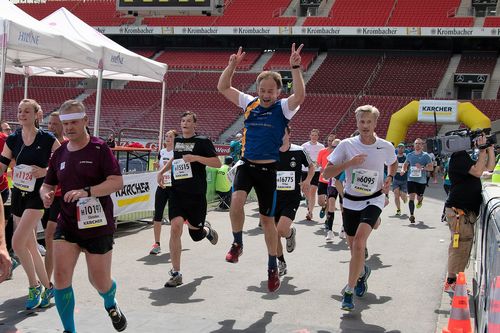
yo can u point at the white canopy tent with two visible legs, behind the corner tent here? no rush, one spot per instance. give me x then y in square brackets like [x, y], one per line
[115, 61]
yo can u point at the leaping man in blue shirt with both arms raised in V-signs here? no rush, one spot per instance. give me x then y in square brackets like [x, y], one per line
[266, 117]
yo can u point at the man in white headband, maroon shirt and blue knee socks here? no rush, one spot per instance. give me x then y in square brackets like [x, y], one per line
[88, 173]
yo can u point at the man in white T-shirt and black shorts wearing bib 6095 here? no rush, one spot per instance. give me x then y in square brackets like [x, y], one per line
[363, 158]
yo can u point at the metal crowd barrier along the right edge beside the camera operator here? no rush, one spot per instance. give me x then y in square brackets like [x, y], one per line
[486, 261]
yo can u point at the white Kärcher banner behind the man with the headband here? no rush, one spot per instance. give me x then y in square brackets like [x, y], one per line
[137, 194]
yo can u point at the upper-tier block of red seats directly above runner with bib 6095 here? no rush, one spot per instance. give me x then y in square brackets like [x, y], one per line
[355, 13]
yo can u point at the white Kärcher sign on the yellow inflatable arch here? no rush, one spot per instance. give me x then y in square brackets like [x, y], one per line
[444, 110]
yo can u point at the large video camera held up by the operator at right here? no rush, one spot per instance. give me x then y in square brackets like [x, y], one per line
[458, 140]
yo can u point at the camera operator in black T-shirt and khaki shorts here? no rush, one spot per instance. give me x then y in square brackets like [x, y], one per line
[463, 203]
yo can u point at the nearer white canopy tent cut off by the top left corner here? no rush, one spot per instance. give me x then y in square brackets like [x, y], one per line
[25, 41]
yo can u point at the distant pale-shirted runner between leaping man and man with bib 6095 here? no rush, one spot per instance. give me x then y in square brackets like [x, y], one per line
[313, 148]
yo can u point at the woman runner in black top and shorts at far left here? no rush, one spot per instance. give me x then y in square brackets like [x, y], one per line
[30, 148]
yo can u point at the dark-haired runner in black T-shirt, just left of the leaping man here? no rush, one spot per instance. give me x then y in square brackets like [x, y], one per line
[192, 154]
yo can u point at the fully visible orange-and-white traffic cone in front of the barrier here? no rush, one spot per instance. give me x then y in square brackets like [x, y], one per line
[459, 321]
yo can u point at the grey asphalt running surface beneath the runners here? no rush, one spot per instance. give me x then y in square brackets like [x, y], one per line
[405, 288]
